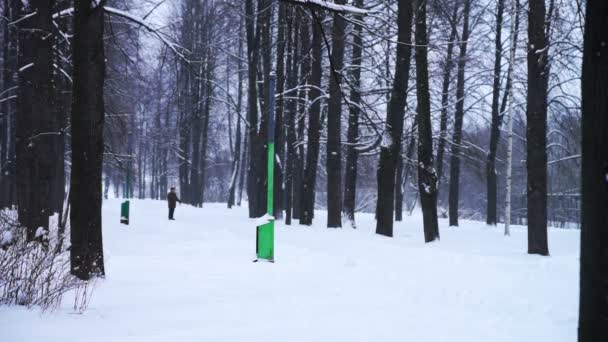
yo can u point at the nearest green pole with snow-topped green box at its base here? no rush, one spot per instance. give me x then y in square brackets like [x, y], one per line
[265, 231]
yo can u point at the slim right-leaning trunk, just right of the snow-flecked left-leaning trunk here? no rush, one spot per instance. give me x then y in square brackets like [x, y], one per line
[454, 194]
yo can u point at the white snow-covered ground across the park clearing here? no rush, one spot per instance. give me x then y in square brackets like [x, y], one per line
[193, 280]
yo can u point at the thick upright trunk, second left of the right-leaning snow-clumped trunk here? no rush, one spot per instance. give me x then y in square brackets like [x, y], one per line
[334, 123]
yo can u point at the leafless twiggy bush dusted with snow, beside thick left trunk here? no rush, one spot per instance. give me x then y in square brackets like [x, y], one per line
[32, 273]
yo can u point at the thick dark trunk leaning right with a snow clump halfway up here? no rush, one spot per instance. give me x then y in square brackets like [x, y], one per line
[391, 144]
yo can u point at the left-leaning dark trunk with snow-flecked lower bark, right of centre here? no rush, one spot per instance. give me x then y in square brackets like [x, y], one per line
[427, 177]
